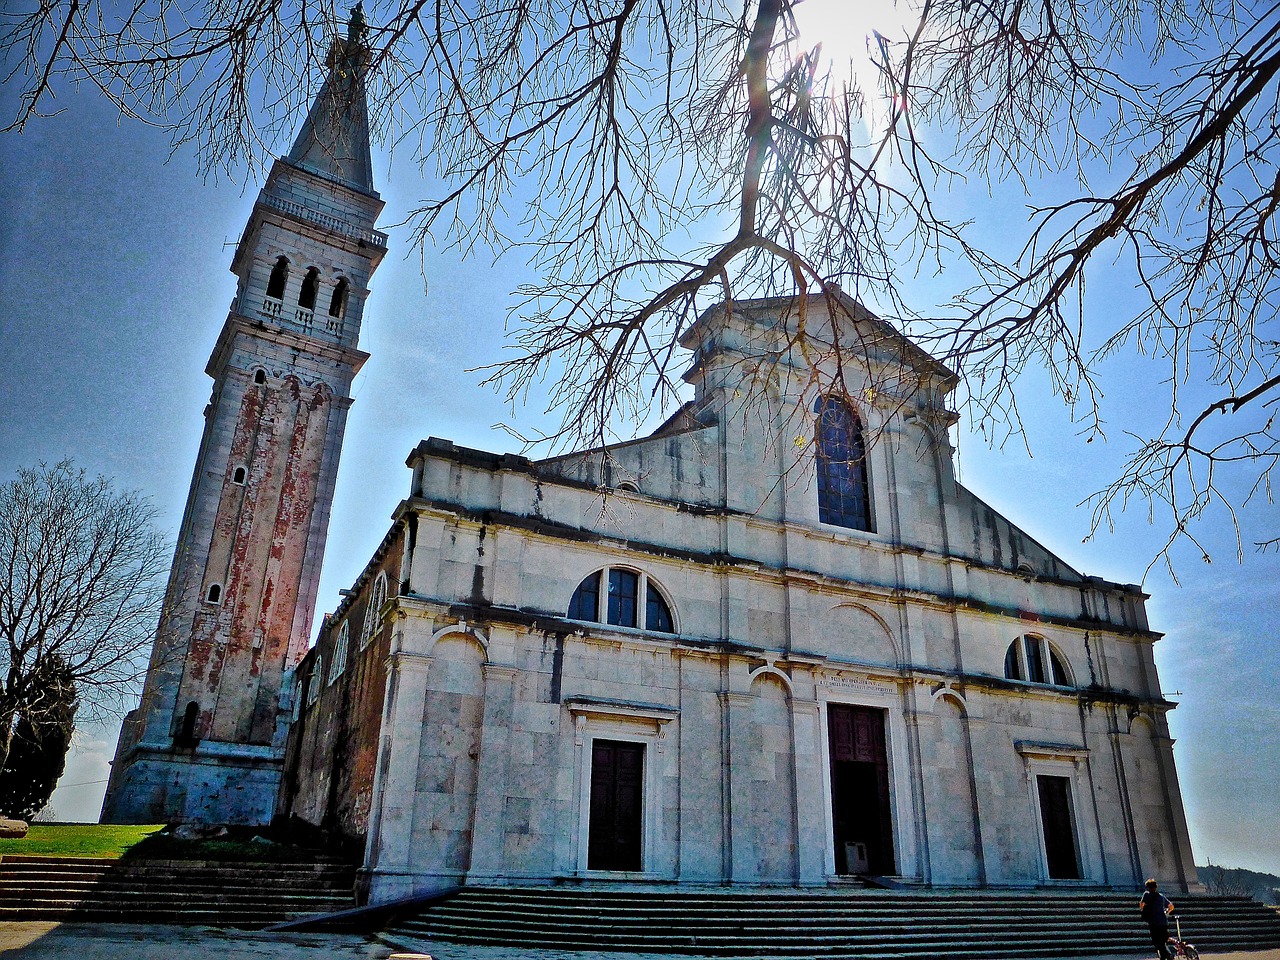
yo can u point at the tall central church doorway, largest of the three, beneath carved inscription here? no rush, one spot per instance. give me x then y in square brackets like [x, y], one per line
[860, 790]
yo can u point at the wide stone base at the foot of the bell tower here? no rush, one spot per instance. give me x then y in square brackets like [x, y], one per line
[231, 784]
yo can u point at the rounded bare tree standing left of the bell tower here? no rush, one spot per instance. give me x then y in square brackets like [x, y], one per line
[81, 586]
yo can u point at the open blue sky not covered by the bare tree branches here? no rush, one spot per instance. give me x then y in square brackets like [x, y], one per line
[116, 282]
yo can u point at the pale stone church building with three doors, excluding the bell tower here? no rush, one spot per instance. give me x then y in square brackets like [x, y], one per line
[775, 643]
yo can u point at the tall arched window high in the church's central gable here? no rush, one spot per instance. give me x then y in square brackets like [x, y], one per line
[844, 492]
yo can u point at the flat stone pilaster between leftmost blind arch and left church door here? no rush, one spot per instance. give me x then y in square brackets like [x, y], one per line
[490, 825]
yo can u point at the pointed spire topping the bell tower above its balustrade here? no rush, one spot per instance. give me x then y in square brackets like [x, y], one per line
[333, 143]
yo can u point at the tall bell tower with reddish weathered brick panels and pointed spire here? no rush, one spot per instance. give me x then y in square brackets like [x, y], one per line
[207, 740]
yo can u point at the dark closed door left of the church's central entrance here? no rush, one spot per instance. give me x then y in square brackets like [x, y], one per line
[618, 790]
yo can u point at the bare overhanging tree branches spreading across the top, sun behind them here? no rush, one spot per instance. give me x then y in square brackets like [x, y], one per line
[685, 152]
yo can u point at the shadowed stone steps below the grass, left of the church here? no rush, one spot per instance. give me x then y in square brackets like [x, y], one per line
[248, 895]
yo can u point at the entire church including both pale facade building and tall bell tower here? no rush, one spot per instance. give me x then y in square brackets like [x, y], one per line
[774, 643]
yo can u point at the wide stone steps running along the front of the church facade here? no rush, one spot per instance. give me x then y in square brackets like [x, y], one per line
[847, 924]
